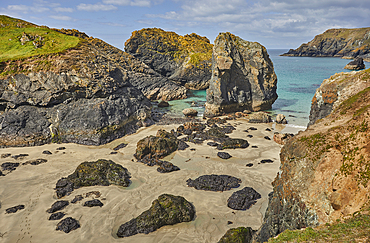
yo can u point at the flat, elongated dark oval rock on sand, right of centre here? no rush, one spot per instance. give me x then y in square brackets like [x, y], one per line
[214, 182]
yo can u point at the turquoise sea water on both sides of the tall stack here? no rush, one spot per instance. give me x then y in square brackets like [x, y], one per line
[298, 79]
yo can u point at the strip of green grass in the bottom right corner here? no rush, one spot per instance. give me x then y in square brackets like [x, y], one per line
[350, 230]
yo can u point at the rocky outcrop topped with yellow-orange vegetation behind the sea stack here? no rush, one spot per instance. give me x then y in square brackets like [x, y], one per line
[185, 60]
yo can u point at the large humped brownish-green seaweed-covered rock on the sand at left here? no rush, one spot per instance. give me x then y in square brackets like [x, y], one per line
[98, 173]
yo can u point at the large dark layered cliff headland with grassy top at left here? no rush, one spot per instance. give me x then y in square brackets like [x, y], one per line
[79, 94]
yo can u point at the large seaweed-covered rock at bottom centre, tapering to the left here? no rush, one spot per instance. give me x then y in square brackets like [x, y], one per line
[166, 210]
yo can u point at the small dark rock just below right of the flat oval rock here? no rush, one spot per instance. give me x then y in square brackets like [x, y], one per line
[243, 199]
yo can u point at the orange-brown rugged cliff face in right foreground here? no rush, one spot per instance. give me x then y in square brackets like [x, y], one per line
[325, 170]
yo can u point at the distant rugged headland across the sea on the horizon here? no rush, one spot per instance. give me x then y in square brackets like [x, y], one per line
[345, 43]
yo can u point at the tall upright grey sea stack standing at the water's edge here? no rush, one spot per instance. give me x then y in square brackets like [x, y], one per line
[243, 77]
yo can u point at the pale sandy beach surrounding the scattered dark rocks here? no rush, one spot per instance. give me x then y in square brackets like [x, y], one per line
[33, 186]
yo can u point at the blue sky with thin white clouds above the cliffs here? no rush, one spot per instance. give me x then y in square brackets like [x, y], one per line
[277, 24]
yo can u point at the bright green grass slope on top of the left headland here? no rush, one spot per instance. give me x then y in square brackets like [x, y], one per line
[12, 49]
